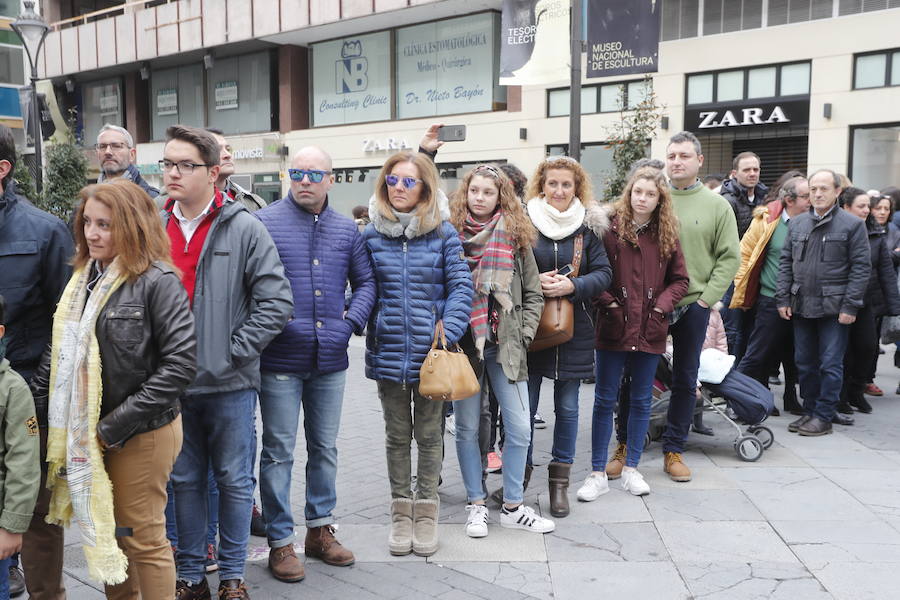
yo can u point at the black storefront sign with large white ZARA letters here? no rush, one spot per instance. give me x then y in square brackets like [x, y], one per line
[793, 112]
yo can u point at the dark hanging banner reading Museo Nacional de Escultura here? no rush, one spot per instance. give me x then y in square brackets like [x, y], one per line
[623, 37]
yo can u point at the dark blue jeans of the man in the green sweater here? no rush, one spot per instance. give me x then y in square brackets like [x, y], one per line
[688, 335]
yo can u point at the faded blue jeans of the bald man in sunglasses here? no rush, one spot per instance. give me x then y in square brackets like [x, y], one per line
[281, 397]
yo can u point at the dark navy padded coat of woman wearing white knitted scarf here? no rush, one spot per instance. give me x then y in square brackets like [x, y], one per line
[575, 358]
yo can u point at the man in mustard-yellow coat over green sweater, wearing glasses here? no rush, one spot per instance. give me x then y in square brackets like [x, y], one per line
[755, 284]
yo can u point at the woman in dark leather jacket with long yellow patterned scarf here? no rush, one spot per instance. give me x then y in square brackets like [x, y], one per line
[122, 352]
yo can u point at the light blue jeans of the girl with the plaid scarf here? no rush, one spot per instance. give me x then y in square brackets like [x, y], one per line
[514, 406]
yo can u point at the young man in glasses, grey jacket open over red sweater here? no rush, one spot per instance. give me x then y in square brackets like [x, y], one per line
[241, 300]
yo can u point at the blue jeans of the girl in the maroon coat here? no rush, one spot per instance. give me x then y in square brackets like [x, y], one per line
[609, 368]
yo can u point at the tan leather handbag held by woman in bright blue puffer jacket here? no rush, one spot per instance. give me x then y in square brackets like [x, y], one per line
[446, 375]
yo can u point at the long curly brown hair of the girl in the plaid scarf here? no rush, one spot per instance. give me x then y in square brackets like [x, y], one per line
[518, 225]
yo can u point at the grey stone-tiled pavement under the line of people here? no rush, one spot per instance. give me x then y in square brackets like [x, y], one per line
[813, 518]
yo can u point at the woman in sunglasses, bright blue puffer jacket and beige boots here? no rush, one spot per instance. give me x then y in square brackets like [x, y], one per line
[422, 278]
